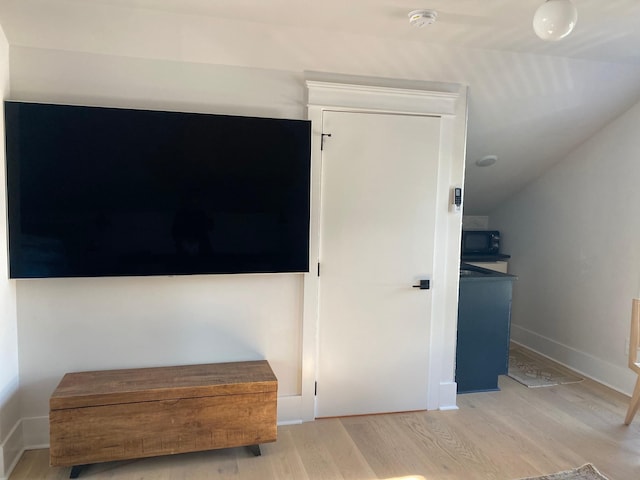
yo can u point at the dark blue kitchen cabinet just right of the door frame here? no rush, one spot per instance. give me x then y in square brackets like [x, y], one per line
[484, 318]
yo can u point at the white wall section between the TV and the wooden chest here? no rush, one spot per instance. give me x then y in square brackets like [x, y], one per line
[98, 323]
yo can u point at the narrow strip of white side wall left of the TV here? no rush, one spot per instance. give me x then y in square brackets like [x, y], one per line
[10, 439]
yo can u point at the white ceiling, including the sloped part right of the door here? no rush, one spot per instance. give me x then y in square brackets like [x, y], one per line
[530, 102]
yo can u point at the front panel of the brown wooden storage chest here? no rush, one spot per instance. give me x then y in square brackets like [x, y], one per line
[144, 429]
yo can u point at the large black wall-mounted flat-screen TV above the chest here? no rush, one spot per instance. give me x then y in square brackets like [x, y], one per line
[96, 191]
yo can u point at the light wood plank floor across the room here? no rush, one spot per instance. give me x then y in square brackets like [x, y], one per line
[513, 433]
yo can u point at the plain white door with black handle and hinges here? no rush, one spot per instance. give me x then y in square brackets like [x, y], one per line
[379, 178]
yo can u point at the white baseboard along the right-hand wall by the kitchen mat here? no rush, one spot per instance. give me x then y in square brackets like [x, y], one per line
[619, 378]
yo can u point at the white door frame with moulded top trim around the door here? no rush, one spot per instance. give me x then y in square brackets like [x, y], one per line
[448, 101]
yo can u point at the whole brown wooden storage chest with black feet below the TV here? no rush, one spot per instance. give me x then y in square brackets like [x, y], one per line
[121, 414]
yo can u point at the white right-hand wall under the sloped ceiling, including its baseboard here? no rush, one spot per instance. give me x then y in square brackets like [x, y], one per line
[574, 238]
